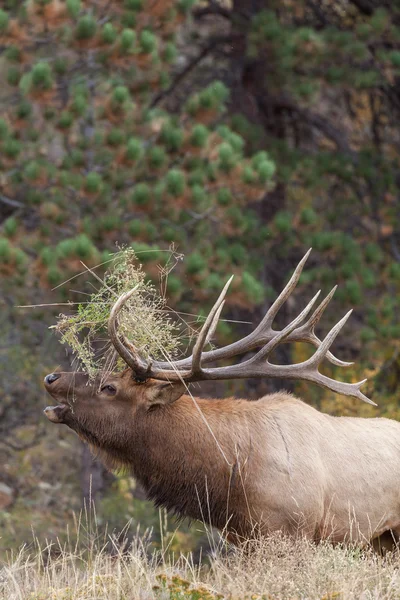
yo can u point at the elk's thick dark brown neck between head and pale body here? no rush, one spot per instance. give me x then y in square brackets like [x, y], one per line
[195, 464]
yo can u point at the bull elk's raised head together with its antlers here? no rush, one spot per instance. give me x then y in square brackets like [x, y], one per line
[94, 408]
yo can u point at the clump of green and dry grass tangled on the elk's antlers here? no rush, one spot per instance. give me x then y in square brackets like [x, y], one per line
[143, 319]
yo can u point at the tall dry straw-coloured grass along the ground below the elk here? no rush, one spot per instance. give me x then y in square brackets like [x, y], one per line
[275, 568]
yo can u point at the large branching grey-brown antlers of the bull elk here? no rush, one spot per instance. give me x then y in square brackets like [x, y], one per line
[264, 337]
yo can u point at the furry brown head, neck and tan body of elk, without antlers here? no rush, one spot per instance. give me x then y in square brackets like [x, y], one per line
[246, 467]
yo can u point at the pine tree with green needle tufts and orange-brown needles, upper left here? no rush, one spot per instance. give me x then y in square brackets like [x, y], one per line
[88, 154]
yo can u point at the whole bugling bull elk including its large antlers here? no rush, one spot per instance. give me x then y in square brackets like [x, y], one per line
[246, 467]
